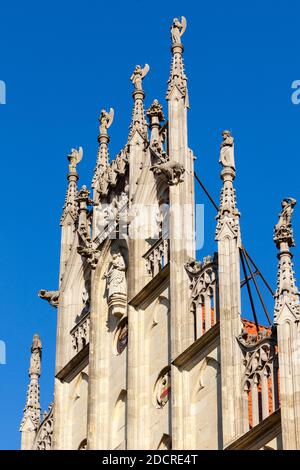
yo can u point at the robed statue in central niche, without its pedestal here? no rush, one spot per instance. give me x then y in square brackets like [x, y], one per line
[115, 276]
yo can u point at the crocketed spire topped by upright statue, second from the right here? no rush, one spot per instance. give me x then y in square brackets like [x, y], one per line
[228, 214]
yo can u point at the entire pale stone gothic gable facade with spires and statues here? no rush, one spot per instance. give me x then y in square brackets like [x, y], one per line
[152, 351]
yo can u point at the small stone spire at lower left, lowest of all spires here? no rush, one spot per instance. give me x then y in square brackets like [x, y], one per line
[32, 410]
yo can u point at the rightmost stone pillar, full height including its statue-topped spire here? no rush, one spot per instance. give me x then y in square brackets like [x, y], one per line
[286, 317]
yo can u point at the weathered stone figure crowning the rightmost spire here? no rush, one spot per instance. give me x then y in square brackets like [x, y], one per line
[283, 231]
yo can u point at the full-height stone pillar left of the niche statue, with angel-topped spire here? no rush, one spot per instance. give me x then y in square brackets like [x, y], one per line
[98, 432]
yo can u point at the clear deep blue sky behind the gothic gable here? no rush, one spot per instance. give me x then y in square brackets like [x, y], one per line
[62, 62]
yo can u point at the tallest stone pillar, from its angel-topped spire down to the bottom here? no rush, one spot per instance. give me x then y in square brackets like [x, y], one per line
[179, 173]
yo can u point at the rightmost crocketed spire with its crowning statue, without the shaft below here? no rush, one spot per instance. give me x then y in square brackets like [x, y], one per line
[287, 293]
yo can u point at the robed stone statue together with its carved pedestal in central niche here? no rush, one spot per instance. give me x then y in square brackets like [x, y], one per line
[117, 285]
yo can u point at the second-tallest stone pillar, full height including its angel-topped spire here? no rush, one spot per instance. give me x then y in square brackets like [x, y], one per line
[137, 407]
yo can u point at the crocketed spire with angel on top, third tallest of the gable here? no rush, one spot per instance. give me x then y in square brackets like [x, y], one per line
[105, 120]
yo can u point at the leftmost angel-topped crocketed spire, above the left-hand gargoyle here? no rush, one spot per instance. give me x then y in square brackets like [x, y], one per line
[70, 206]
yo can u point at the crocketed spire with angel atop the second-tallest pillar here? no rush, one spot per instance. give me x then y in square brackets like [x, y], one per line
[138, 121]
